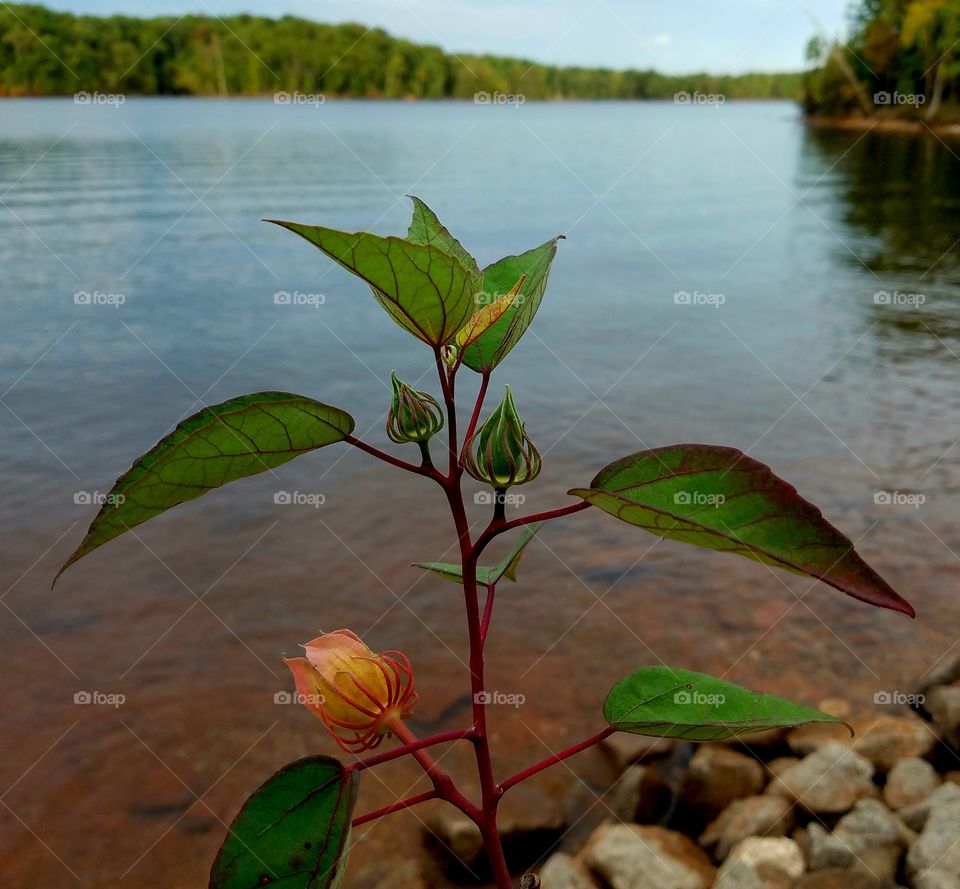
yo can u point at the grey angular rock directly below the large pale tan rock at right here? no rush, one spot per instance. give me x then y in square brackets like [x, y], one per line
[870, 837]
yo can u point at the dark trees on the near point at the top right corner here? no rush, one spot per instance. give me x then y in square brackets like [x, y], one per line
[902, 60]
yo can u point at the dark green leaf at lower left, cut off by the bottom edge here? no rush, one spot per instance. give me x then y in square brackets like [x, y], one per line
[292, 831]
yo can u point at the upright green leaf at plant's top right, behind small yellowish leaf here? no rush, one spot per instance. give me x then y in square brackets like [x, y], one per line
[498, 280]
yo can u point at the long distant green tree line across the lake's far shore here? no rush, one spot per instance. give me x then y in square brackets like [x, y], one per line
[47, 53]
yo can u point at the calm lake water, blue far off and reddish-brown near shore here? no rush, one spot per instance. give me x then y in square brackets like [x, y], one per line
[786, 234]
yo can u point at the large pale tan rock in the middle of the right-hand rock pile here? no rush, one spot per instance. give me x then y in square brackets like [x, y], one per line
[829, 781]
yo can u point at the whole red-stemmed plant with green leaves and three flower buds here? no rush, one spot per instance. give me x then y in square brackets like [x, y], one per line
[294, 830]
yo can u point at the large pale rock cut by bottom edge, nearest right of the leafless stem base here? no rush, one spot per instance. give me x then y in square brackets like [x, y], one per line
[631, 856]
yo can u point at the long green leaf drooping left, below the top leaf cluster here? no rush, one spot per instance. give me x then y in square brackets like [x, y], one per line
[243, 436]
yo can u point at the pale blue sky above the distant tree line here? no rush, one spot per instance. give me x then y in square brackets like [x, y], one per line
[672, 36]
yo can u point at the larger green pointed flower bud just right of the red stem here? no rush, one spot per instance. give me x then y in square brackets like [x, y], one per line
[501, 453]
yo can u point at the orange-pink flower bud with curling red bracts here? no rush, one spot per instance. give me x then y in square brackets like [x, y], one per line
[357, 694]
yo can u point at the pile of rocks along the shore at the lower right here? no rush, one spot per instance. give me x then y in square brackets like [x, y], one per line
[810, 808]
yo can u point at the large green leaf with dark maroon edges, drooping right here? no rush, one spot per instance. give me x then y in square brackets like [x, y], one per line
[721, 499]
